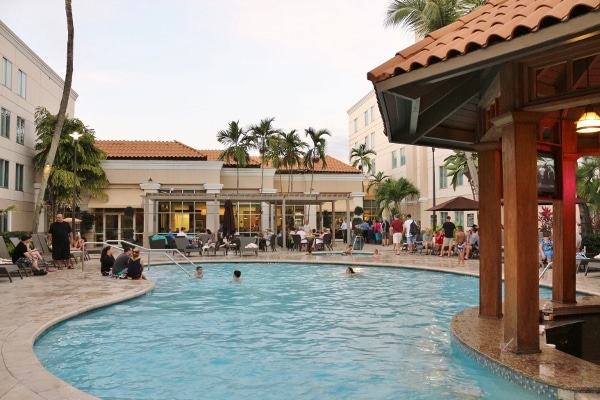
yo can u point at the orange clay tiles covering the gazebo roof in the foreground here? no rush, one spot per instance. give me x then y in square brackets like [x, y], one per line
[495, 22]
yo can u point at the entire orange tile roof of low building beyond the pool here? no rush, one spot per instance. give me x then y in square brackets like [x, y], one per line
[162, 150]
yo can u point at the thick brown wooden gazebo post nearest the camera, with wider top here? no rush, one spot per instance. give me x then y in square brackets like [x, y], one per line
[521, 281]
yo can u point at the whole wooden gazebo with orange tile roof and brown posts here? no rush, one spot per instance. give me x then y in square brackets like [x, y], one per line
[508, 81]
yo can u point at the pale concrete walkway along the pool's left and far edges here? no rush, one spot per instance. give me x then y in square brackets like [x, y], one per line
[30, 306]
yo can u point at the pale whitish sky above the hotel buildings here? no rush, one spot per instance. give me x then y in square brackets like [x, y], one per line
[183, 69]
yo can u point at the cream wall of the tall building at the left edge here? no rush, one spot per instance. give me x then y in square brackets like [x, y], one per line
[43, 88]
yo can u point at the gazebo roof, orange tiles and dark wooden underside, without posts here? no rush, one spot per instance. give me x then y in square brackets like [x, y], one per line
[433, 93]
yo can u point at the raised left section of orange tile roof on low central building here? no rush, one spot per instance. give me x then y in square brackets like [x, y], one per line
[147, 149]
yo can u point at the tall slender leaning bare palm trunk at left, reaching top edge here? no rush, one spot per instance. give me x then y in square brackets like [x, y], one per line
[62, 112]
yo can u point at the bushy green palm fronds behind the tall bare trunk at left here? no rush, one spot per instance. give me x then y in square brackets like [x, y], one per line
[91, 178]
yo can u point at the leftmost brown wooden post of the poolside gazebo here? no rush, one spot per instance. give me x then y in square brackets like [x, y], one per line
[490, 235]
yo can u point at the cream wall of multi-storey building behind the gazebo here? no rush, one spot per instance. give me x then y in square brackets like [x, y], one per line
[417, 167]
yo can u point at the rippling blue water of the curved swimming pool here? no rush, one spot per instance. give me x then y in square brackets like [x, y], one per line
[287, 331]
